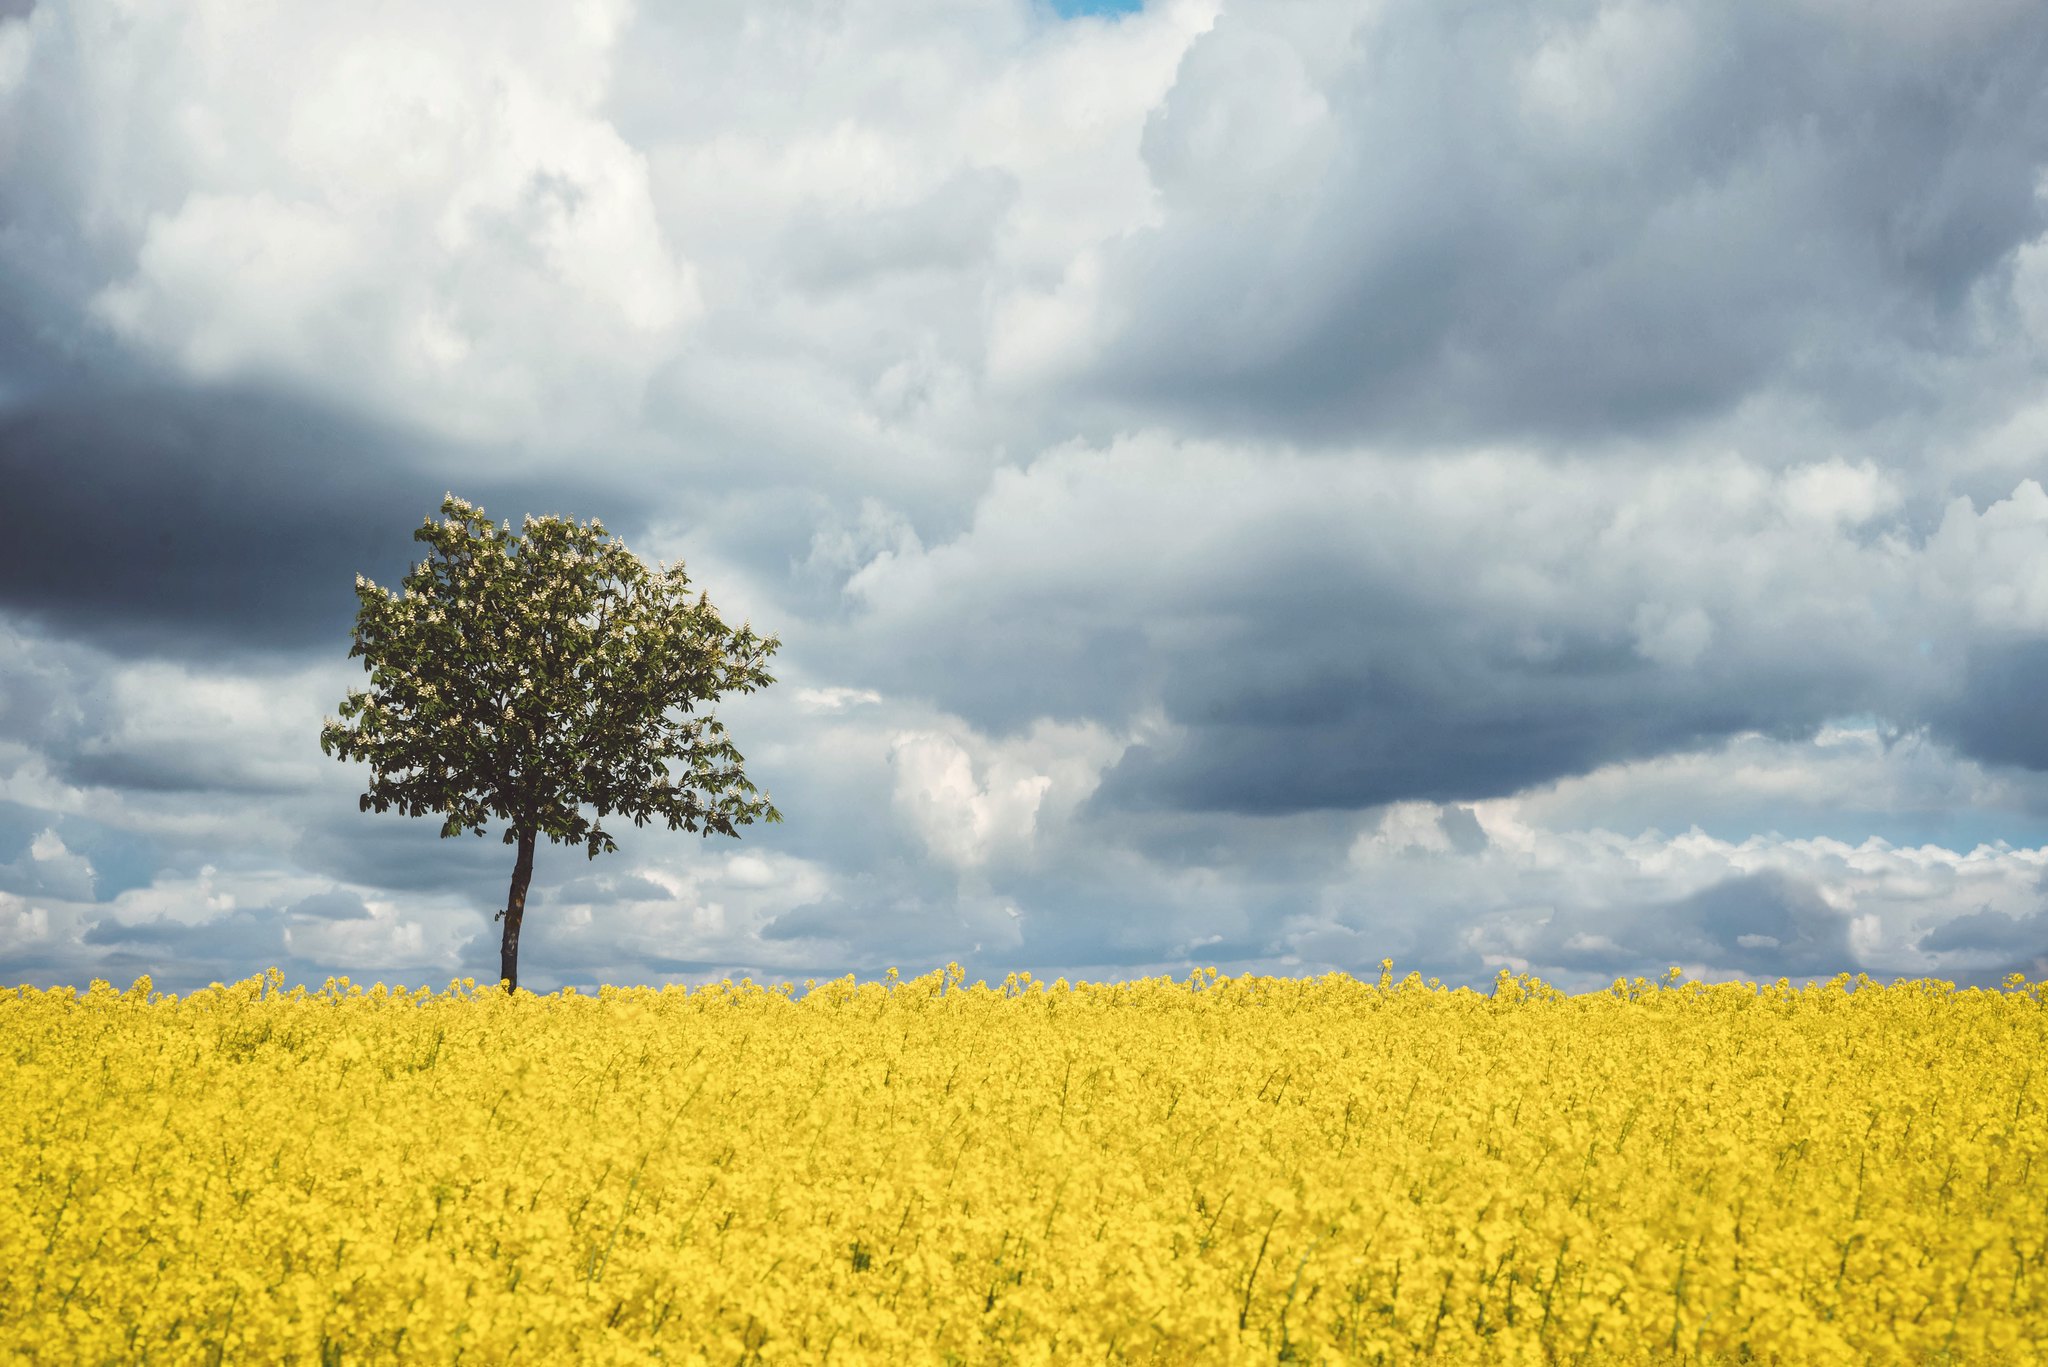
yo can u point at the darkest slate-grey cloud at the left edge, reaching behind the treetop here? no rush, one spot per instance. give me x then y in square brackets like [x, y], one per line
[189, 524]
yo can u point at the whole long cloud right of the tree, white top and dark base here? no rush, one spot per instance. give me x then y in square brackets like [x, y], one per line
[1353, 632]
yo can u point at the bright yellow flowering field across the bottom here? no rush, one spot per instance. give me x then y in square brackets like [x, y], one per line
[1205, 1171]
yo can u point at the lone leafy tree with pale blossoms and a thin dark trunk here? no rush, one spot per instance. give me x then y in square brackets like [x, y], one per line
[523, 677]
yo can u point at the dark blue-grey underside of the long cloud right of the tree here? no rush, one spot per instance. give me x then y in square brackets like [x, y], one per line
[1340, 696]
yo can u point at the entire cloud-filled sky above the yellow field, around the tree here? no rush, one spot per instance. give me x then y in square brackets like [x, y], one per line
[1547, 487]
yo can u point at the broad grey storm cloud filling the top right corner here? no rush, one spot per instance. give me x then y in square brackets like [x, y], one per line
[1576, 220]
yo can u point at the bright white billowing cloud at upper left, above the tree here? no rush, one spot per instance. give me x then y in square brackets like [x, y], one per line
[423, 210]
